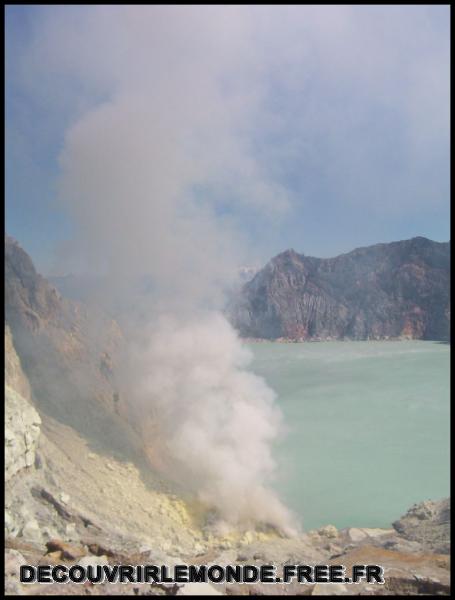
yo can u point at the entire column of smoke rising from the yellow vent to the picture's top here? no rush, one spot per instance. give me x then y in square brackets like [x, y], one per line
[137, 177]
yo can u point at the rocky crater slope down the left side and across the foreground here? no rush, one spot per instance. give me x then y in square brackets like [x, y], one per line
[79, 489]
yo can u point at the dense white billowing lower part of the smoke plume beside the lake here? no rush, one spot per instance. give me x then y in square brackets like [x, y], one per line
[207, 420]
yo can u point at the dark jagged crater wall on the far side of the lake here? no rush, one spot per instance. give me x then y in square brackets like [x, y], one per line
[384, 291]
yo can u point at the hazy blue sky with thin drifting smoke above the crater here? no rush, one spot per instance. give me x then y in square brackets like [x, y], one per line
[318, 128]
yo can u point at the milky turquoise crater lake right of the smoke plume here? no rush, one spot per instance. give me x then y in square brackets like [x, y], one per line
[367, 427]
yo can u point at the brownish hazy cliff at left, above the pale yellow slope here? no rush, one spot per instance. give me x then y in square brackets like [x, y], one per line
[69, 353]
